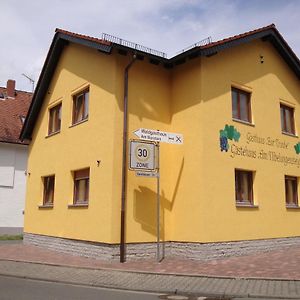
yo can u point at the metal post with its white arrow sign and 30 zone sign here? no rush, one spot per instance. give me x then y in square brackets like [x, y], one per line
[145, 161]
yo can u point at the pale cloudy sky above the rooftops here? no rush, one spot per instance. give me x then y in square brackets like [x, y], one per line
[27, 27]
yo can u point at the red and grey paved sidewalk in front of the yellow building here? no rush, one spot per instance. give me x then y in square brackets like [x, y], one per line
[275, 274]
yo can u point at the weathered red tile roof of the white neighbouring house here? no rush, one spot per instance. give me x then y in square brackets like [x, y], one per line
[11, 111]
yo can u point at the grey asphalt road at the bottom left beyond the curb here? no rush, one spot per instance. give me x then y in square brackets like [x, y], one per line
[12, 288]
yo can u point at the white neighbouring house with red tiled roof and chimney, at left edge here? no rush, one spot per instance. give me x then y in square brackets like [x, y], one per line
[14, 105]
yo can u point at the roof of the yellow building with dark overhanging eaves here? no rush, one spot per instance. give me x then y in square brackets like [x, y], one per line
[269, 33]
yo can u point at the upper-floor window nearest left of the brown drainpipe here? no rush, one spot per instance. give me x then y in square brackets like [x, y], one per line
[80, 107]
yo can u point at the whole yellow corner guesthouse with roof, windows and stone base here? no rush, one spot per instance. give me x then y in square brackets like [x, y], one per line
[230, 188]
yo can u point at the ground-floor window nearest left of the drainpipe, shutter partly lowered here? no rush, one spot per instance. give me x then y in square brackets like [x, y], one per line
[81, 186]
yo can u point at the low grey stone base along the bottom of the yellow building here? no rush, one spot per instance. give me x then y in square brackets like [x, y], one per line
[136, 251]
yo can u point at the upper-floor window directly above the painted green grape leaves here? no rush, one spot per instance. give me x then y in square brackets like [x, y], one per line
[241, 109]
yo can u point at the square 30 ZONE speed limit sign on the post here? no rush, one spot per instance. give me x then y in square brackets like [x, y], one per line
[142, 155]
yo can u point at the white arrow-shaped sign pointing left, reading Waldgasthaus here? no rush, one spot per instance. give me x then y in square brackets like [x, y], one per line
[159, 136]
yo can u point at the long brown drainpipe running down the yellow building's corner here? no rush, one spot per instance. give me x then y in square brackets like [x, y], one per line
[124, 160]
